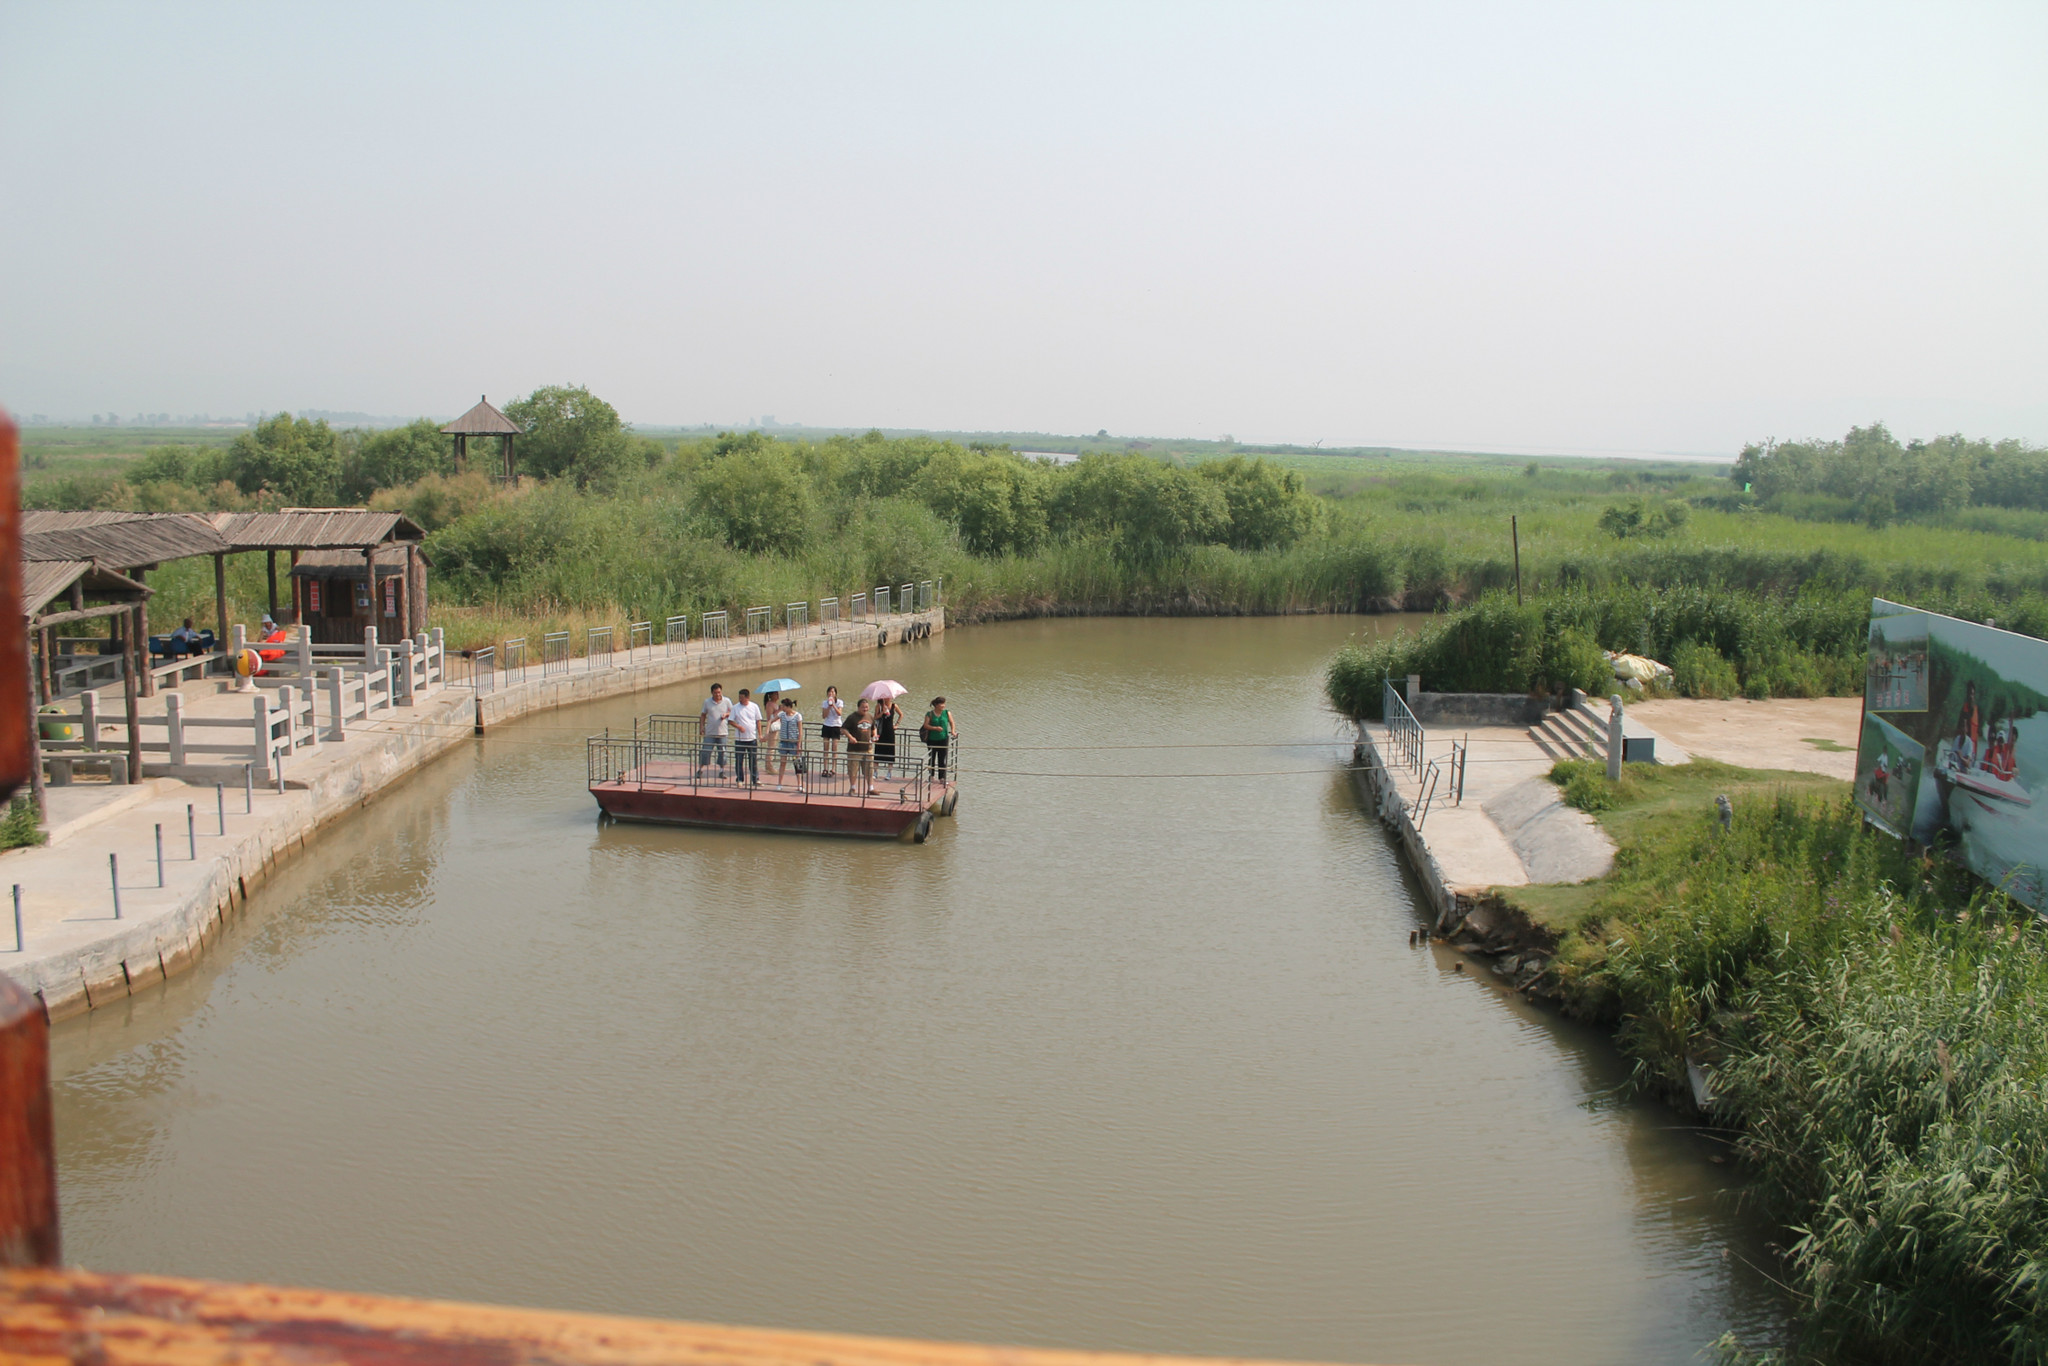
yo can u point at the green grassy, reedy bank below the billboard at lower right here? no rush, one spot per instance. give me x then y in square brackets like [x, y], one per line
[1871, 1023]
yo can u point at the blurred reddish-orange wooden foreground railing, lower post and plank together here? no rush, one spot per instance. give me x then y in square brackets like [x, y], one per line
[56, 1318]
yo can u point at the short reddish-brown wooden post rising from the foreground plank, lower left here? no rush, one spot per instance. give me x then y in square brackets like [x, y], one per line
[28, 1144]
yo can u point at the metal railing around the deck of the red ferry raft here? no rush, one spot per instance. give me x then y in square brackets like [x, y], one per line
[671, 753]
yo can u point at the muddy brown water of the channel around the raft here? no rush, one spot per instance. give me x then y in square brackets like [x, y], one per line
[1134, 1054]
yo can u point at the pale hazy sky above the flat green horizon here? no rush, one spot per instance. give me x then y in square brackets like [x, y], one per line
[1580, 228]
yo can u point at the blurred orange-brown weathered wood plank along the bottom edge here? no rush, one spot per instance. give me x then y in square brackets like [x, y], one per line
[130, 1320]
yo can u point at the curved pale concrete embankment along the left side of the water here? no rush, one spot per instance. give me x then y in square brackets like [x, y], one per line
[95, 931]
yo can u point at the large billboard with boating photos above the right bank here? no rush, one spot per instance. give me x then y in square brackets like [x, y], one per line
[1955, 744]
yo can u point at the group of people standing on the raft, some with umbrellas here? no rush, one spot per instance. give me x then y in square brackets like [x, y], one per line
[871, 734]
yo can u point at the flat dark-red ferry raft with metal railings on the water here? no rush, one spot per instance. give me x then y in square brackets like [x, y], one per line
[669, 775]
